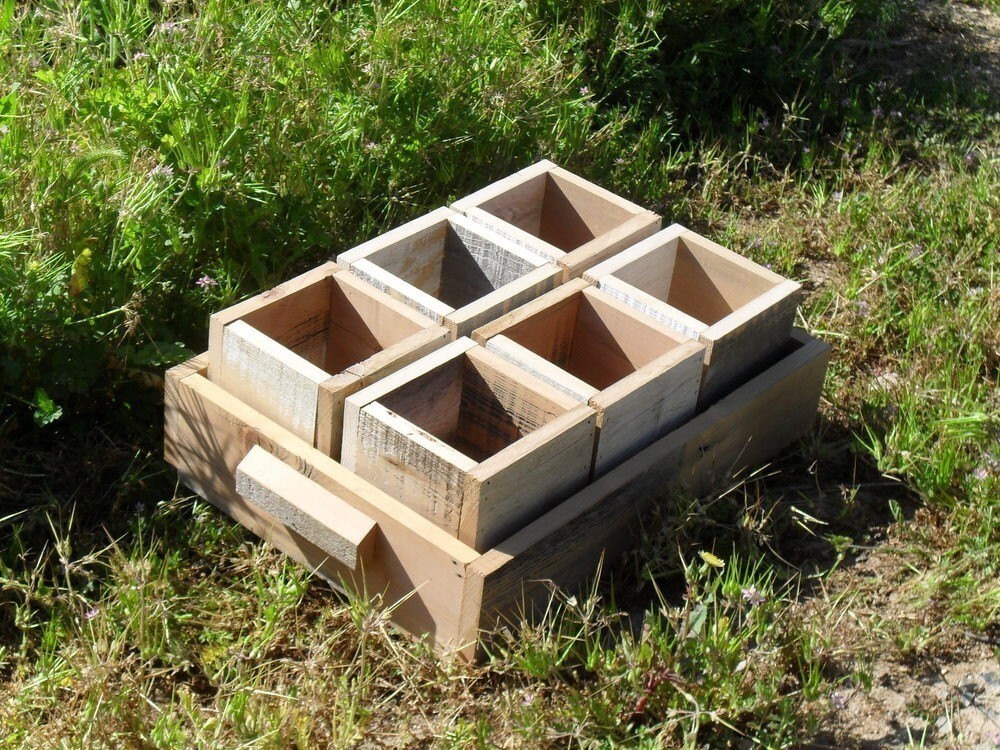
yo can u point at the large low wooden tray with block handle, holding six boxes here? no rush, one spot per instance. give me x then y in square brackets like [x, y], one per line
[285, 490]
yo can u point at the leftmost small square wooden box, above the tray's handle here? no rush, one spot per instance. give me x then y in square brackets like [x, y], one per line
[295, 352]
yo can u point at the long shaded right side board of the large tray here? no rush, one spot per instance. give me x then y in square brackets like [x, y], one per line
[563, 546]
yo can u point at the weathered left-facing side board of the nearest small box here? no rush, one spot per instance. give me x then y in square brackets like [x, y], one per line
[411, 465]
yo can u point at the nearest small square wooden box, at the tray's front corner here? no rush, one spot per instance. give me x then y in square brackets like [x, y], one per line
[469, 442]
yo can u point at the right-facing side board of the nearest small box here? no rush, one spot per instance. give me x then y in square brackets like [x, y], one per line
[521, 482]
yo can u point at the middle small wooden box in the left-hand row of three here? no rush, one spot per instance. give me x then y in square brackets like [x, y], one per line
[453, 270]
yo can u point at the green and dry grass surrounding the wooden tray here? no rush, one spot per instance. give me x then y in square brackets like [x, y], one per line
[160, 162]
